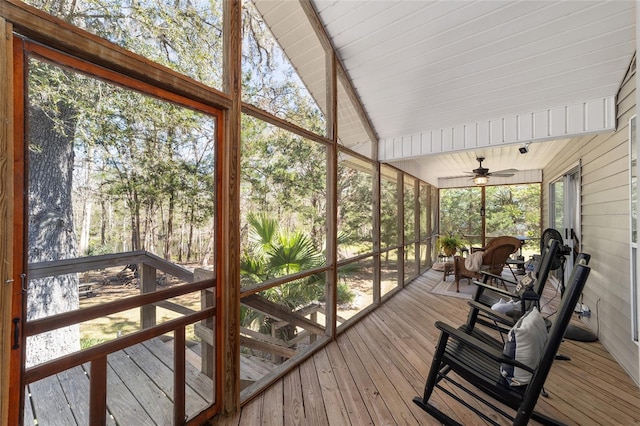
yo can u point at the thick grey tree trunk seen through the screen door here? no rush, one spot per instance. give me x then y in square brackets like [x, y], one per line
[51, 234]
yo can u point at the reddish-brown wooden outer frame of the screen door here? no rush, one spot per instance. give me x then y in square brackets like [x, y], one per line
[14, 204]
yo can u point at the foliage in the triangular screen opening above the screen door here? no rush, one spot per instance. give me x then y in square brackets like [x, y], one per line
[182, 35]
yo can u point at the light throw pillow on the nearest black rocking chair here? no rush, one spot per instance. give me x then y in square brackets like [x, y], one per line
[525, 342]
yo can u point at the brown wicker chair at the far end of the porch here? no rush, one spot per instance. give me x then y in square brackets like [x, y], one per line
[494, 257]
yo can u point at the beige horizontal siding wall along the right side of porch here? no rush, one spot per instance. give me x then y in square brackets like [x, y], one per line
[605, 234]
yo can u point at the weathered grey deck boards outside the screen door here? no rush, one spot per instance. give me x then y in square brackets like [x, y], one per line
[140, 390]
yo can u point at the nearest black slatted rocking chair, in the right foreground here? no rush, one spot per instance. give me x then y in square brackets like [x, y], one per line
[478, 365]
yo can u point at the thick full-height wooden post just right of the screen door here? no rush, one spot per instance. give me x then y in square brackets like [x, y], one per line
[228, 228]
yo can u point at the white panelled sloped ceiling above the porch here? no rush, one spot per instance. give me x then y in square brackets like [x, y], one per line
[428, 71]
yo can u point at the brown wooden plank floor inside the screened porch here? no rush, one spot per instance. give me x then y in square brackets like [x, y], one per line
[370, 374]
